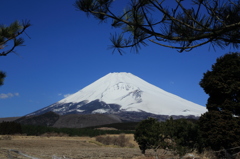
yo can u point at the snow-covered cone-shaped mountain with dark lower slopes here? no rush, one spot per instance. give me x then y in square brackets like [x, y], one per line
[123, 92]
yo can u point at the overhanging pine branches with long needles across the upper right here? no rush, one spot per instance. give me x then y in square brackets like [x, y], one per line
[179, 26]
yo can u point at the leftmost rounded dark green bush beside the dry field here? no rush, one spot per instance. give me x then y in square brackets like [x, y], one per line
[147, 134]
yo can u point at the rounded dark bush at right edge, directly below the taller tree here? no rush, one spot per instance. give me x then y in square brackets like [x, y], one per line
[220, 130]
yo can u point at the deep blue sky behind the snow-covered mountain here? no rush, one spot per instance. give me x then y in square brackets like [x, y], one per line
[67, 51]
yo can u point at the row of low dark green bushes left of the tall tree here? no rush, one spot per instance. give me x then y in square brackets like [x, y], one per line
[180, 135]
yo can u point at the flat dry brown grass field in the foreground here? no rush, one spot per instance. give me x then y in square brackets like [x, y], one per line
[42, 147]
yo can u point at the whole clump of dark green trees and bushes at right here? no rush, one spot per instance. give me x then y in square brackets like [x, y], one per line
[217, 129]
